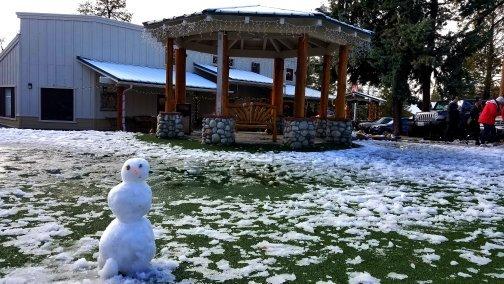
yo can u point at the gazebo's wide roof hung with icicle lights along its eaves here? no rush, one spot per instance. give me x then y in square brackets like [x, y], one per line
[259, 31]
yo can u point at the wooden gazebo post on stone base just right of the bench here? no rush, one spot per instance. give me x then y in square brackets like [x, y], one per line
[302, 69]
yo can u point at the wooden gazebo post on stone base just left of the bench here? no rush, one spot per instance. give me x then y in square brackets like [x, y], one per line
[221, 100]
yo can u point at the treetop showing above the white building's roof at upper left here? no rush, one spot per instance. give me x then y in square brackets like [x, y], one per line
[112, 9]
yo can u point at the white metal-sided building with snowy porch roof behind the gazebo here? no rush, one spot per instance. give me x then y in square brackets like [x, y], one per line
[60, 72]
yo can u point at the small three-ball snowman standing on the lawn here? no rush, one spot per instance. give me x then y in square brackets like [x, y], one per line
[127, 245]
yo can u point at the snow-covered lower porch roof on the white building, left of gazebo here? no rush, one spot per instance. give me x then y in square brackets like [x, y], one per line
[134, 74]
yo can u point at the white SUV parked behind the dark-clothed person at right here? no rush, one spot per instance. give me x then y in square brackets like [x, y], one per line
[432, 124]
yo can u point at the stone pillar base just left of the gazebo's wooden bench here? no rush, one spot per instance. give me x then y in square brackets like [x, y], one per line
[218, 130]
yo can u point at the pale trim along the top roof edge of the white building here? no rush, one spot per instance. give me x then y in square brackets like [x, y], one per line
[73, 17]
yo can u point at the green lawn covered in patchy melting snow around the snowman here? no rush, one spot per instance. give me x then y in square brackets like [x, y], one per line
[380, 198]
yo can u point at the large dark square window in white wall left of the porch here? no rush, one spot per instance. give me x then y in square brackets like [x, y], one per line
[56, 104]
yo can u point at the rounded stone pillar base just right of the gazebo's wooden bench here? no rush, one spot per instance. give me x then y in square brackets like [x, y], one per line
[299, 133]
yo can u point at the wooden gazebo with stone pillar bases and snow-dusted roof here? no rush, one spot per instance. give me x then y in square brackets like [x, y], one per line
[262, 32]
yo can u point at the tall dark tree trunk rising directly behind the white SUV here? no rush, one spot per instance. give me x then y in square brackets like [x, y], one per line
[425, 79]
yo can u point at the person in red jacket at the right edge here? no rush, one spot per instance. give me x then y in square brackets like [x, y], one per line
[492, 109]
